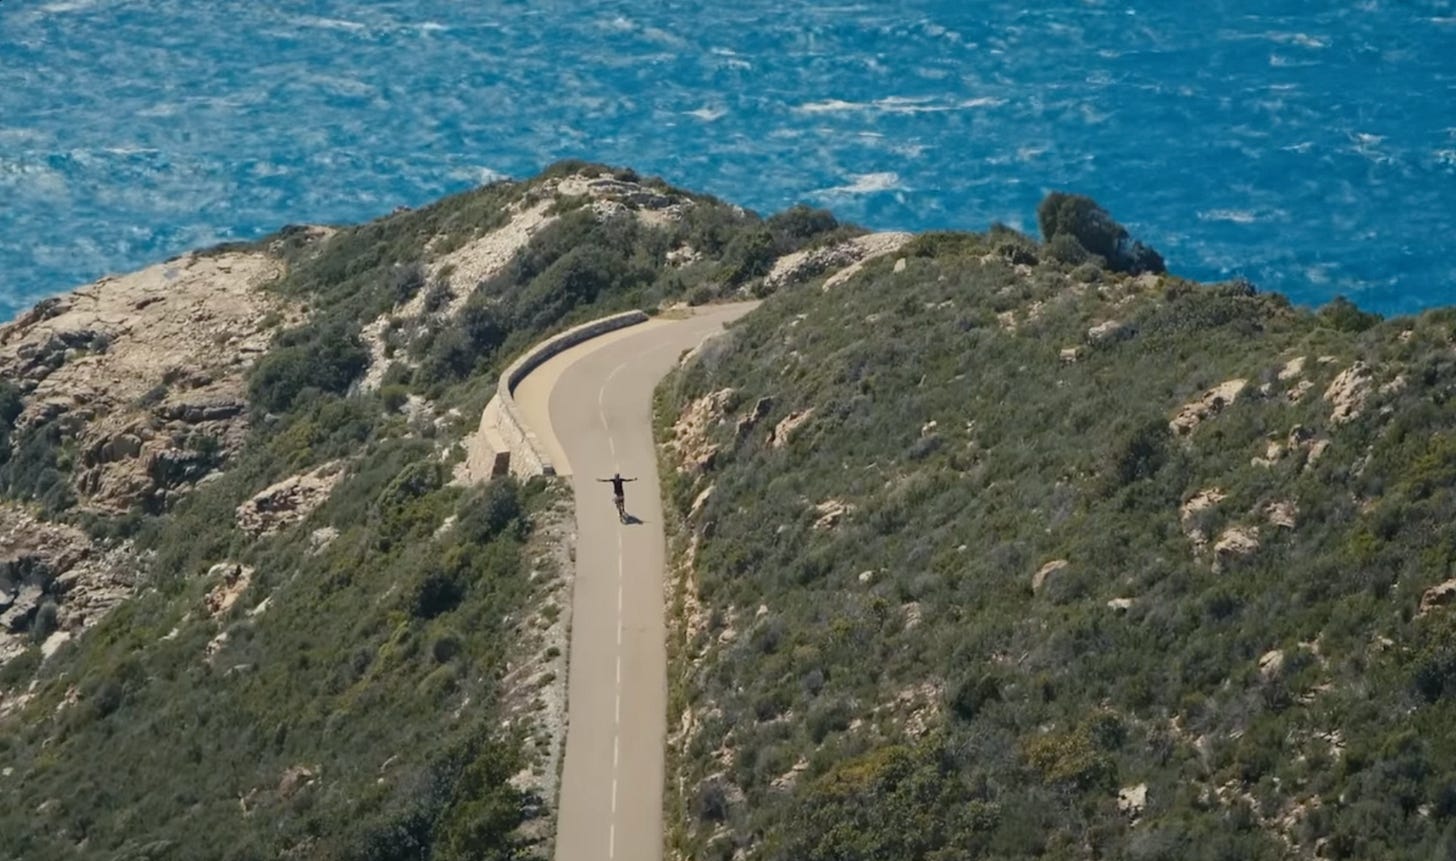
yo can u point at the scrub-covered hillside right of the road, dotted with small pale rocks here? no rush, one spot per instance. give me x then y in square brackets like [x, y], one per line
[991, 551]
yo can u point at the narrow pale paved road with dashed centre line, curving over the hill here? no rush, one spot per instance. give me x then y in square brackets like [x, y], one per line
[592, 407]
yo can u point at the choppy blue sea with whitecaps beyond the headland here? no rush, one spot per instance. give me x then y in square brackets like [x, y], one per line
[1310, 148]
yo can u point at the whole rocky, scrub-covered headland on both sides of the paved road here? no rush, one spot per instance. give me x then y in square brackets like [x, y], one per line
[985, 547]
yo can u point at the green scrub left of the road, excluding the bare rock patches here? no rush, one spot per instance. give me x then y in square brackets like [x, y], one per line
[349, 701]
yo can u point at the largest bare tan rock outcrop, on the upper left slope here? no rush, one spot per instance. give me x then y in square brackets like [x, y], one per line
[143, 374]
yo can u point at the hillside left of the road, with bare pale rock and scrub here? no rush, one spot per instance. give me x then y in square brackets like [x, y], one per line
[251, 605]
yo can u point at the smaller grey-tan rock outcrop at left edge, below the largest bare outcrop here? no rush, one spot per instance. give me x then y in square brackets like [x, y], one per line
[50, 565]
